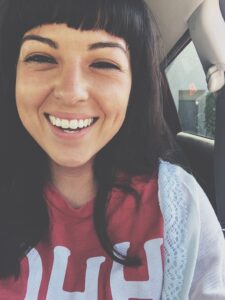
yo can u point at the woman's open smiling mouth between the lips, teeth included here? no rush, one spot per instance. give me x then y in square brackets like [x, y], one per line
[70, 125]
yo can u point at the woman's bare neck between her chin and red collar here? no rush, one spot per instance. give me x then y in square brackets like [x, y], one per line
[77, 185]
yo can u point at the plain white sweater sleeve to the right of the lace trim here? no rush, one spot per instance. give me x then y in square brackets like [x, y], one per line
[209, 276]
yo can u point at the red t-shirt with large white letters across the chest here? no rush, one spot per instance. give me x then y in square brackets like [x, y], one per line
[71, 264]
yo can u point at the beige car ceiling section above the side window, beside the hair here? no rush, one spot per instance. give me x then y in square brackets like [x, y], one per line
[172, 17]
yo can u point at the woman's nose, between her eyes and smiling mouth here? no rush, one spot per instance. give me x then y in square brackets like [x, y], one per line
[71, 85]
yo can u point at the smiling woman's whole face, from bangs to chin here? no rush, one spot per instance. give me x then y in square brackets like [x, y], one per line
[72, 90]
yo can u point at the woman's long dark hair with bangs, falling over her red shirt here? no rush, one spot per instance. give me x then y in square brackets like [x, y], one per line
[135, 150]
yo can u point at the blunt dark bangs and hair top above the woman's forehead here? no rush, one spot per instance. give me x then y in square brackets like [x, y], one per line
[122, 18]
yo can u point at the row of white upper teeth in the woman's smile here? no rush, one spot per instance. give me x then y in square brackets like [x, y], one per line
[71, 124]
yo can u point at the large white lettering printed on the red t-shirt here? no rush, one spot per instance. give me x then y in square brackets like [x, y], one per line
[120, 288]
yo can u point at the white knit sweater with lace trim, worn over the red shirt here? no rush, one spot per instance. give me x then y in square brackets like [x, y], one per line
[194, 243]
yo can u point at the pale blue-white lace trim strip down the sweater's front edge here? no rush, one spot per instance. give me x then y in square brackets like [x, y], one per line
[175, 211]
